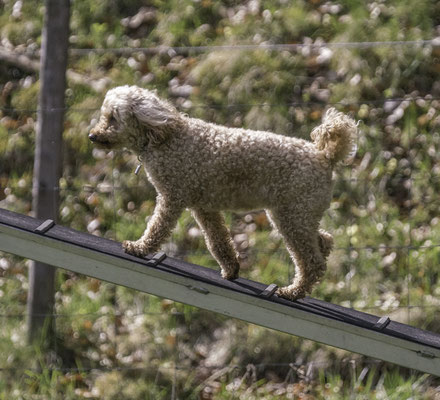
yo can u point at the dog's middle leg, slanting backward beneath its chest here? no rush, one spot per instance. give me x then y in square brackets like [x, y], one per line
[219, 241]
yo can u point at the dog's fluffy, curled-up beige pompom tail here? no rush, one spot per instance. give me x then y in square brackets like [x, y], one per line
[336, 136]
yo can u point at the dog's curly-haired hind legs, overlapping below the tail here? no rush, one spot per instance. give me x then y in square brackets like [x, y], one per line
[307, 247]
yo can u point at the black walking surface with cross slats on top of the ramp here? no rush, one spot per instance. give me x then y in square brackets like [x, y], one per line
[212, 277]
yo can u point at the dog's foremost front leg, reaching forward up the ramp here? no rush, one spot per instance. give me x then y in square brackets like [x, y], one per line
[159, 227]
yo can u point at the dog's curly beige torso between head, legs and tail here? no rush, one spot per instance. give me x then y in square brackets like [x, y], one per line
[228, 168]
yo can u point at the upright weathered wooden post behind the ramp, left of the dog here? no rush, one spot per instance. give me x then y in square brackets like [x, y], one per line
[48, 156]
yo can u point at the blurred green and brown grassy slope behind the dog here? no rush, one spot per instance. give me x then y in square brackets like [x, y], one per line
[384, 216]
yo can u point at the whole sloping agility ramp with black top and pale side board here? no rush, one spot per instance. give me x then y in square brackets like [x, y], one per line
[202, 287]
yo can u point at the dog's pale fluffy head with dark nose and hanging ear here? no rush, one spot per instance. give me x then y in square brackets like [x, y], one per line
[134, 118]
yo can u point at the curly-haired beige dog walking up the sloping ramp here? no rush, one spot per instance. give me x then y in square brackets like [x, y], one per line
[209, 168]
